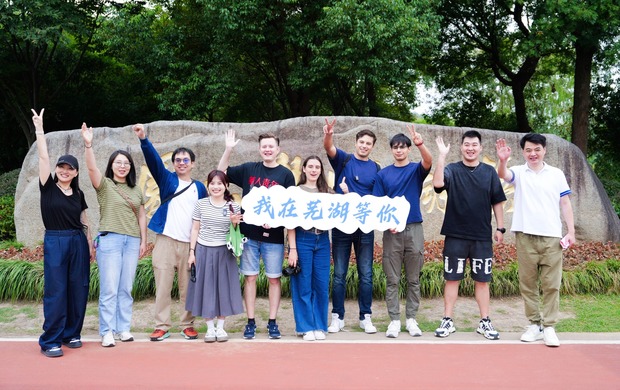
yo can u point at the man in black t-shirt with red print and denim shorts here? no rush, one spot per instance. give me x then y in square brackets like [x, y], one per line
[263, 241]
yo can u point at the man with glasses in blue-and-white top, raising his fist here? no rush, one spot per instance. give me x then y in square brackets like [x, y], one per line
[172, 222]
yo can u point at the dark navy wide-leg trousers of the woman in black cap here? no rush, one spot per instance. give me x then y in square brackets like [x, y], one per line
[66, 272]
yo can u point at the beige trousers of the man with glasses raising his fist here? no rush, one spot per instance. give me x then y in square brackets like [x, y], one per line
[170, 256]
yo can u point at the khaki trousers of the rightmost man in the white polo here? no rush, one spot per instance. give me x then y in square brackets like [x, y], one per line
[540, 258]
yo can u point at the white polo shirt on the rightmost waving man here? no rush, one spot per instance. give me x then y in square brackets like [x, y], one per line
[537, 200]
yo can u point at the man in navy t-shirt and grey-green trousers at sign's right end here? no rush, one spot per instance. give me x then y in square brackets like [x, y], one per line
[405, 248]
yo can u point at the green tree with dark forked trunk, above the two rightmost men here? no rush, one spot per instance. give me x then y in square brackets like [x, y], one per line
[499, 39]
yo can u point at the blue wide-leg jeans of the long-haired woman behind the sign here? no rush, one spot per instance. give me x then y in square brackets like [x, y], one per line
[310, 288]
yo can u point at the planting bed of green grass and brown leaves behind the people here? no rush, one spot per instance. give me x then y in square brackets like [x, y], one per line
[588, 268]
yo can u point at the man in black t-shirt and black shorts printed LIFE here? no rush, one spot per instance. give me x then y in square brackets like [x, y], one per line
[473, 190]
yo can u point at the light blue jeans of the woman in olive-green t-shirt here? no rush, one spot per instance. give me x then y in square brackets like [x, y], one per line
[117, 258]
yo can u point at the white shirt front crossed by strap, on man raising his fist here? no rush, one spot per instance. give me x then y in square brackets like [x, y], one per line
[179, 219]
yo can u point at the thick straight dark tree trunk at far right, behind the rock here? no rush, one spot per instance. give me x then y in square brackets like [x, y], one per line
[582, 101]
